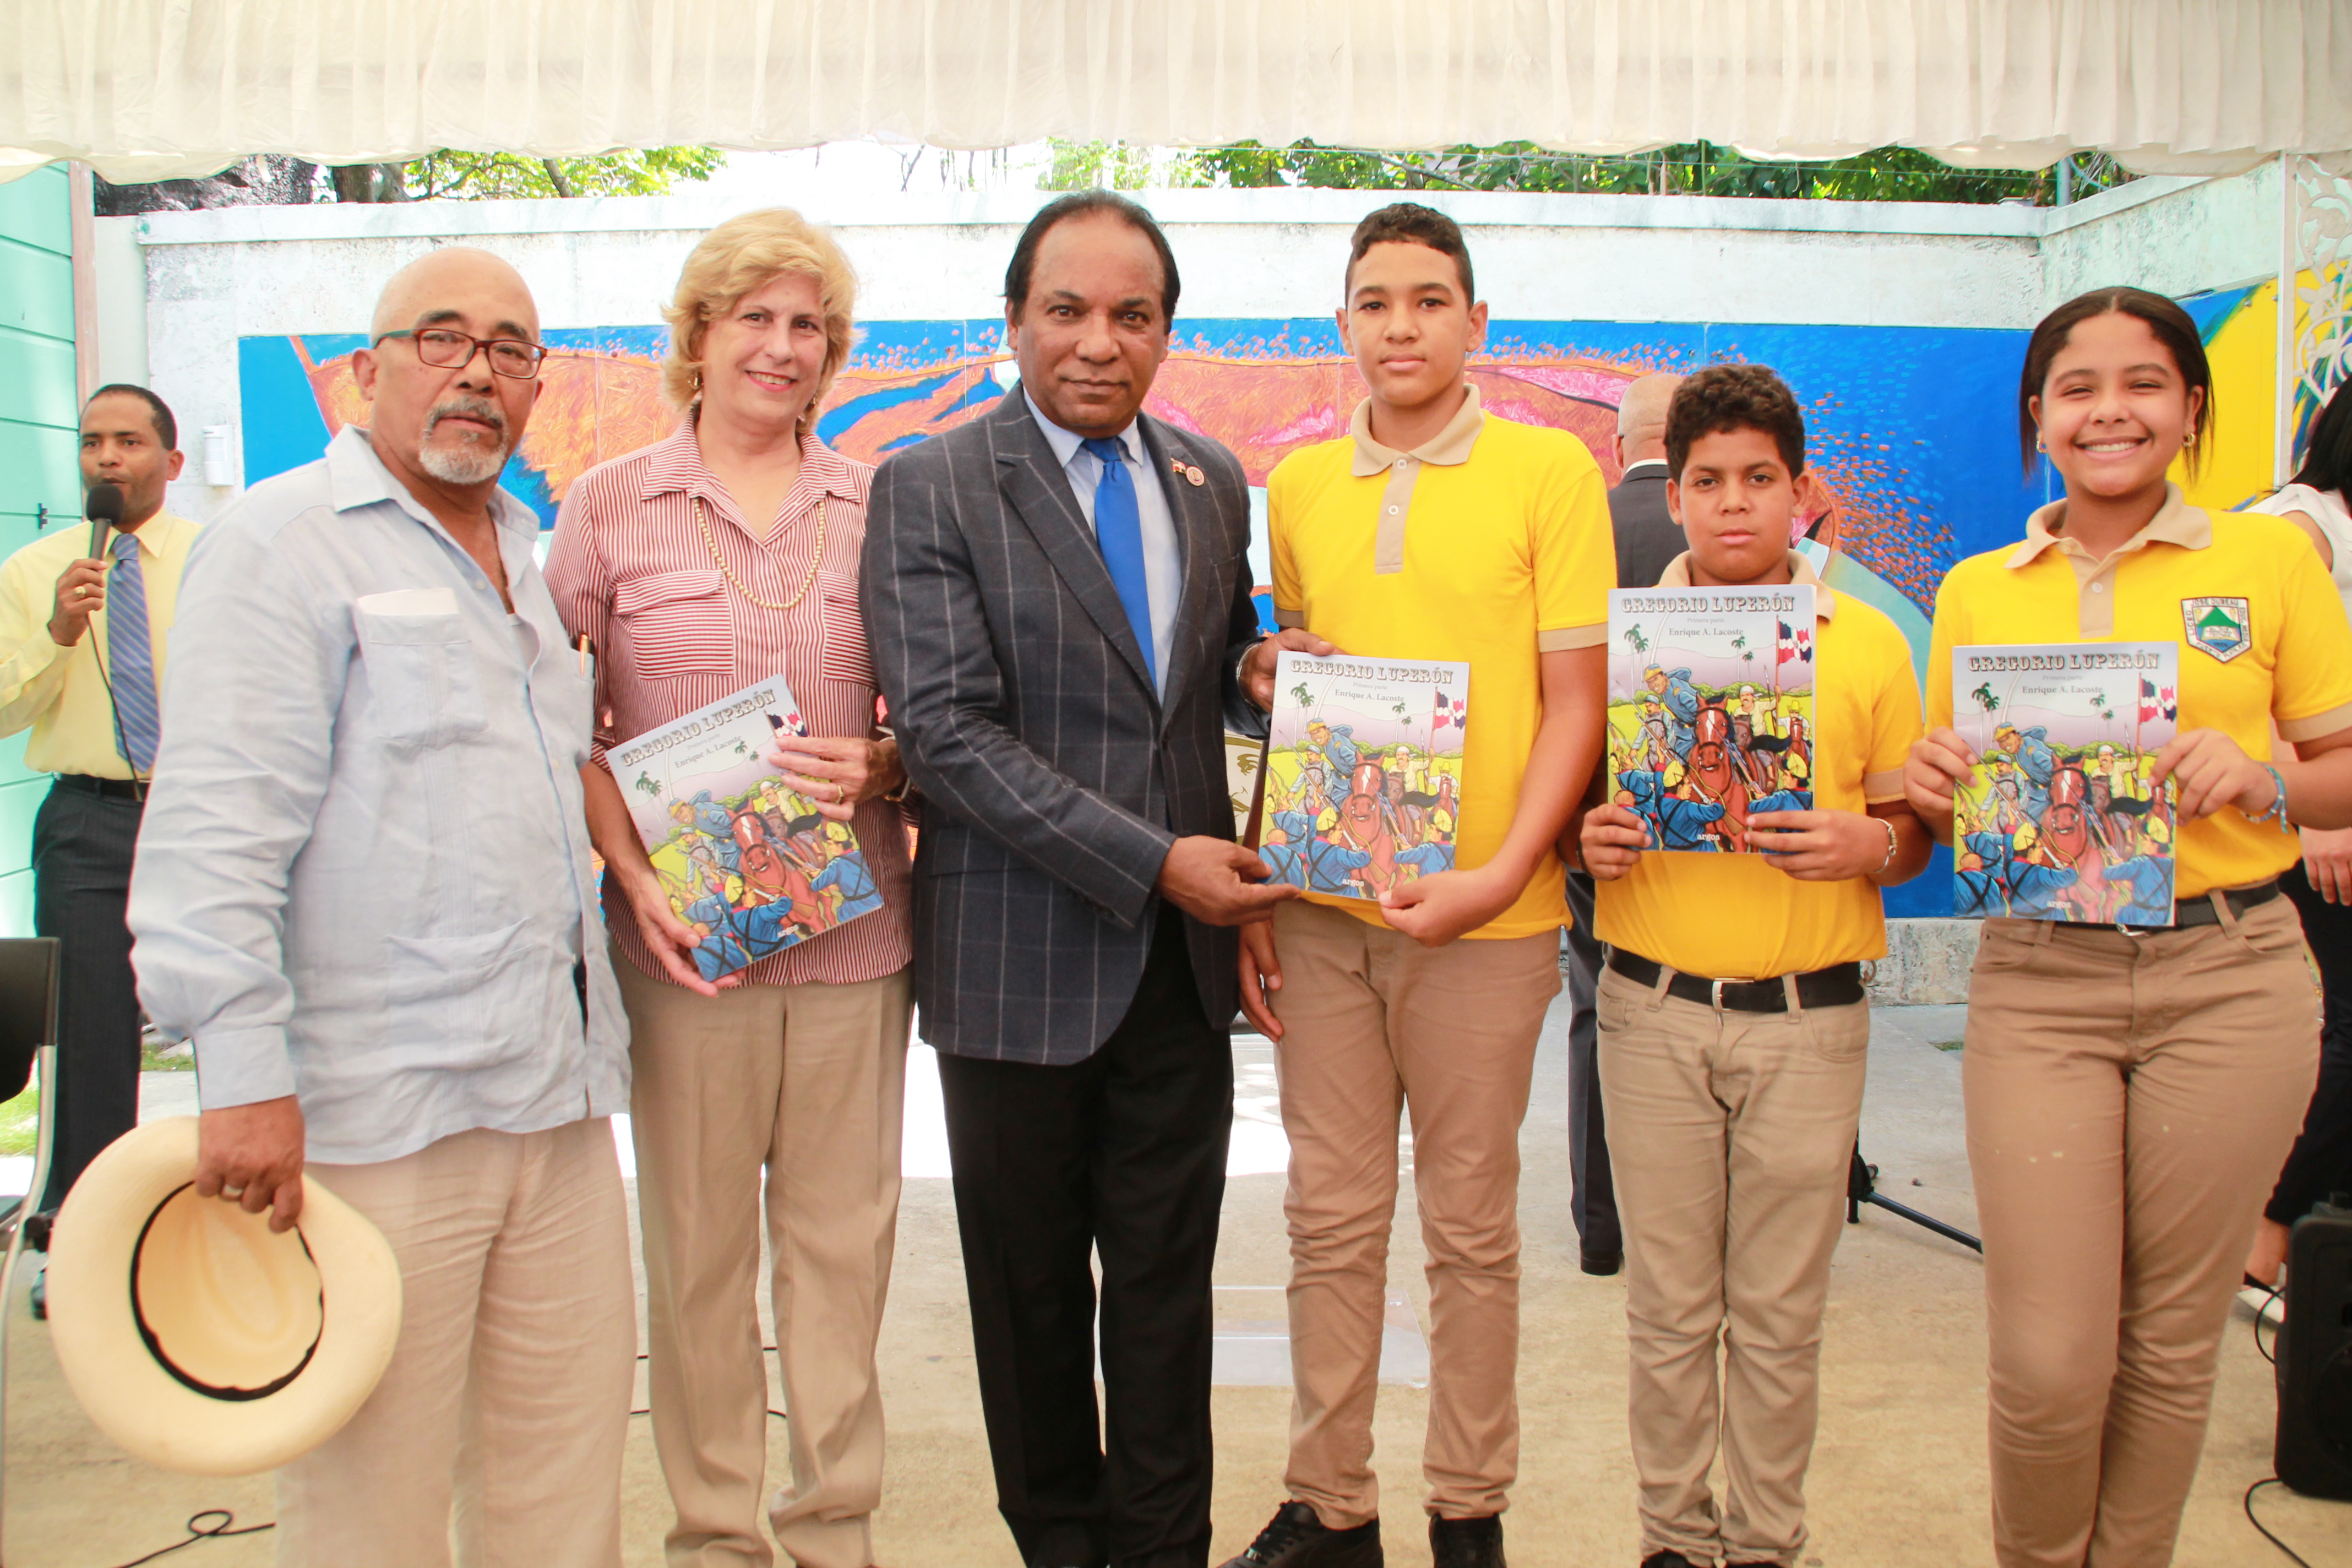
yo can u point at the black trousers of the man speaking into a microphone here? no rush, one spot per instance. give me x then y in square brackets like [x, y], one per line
[81, 883]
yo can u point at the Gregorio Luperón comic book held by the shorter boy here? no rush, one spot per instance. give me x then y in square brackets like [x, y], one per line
[1711, 709]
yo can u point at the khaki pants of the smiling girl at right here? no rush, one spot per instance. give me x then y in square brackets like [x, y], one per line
[2130, 1104]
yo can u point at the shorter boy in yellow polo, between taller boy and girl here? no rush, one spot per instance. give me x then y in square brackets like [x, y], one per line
[1735, 1024]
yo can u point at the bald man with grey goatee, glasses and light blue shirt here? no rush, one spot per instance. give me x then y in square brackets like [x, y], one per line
[366, 892]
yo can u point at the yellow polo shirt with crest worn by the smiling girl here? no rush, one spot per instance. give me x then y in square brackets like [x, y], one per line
[2261, 636]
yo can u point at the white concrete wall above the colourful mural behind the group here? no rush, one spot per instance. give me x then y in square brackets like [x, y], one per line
[218, 276]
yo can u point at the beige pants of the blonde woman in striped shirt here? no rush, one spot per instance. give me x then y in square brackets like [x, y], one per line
[808, 1083]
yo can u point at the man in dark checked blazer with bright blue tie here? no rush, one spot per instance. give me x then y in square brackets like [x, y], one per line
[1057, 598]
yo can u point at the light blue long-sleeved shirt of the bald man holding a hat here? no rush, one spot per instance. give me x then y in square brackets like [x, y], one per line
[366, 873]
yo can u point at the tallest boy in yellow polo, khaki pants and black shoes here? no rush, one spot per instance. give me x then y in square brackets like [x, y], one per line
[1434, 530]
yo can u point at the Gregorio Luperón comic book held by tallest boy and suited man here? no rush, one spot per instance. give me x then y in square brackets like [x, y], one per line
[1363, 772]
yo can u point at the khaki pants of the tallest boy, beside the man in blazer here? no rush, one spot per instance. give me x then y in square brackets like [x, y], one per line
[1375, 1021]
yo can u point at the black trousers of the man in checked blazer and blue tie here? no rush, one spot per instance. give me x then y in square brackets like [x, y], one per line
[1121, 1158]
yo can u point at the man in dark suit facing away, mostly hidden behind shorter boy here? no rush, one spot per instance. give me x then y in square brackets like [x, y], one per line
[1648, 540]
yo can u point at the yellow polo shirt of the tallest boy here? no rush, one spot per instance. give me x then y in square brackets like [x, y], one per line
[1490, 547]
